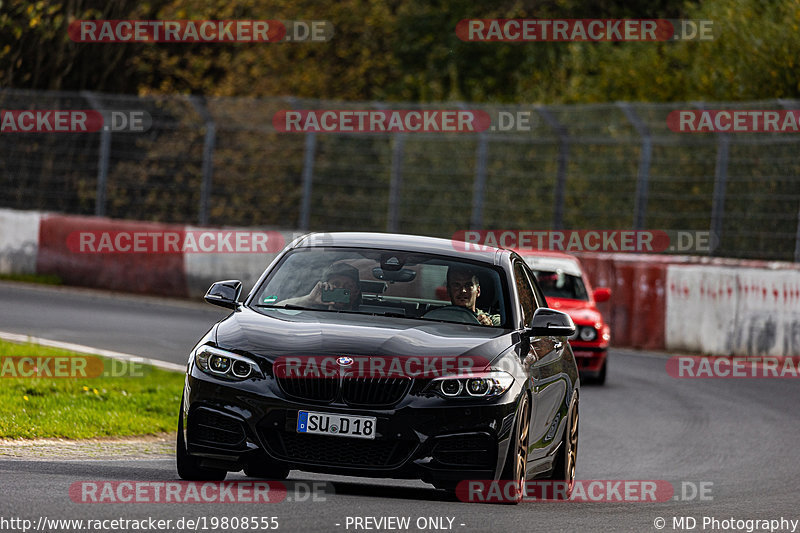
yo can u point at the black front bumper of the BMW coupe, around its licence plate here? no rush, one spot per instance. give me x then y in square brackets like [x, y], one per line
[423, 436]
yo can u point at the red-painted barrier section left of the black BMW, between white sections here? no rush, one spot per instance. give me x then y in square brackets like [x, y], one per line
[162, 274]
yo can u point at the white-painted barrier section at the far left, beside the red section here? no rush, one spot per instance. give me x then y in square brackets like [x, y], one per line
[19, 241]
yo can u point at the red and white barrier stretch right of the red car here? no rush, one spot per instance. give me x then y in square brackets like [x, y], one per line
[713, 306]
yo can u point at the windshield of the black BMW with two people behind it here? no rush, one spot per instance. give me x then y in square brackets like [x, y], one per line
[383, 282]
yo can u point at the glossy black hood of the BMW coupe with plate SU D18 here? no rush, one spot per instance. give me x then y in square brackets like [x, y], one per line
[281, 332]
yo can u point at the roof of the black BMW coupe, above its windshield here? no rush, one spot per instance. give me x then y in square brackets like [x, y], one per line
[400, 242]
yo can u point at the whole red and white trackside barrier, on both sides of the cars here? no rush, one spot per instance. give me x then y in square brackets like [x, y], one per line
[692, 304]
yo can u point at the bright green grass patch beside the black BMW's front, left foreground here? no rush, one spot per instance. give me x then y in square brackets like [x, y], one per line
[81, 408]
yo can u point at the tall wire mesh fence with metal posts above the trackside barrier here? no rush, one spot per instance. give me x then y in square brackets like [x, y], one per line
[220, 161]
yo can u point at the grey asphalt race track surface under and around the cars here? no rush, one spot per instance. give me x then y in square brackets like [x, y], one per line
[740, 435]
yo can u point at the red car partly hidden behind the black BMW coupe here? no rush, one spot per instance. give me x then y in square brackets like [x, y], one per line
[567, 289]
